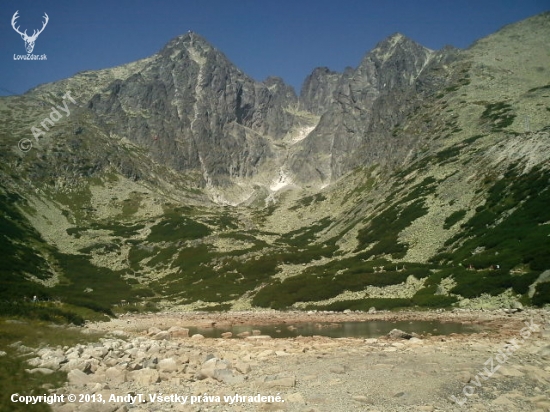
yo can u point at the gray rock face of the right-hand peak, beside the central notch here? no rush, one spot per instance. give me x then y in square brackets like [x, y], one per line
[367, 103]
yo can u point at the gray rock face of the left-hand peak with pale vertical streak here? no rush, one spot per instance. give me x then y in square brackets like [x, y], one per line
[194, 110]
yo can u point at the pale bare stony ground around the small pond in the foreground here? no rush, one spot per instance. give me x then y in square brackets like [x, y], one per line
[504, 368]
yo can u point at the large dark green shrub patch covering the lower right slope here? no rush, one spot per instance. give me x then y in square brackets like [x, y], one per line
[506, 243]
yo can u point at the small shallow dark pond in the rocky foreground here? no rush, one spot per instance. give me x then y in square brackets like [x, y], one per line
[365, 329]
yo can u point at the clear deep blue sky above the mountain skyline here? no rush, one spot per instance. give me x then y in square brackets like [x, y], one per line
[286, 38]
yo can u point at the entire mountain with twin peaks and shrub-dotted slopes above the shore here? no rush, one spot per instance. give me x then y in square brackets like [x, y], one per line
[407, 177]
